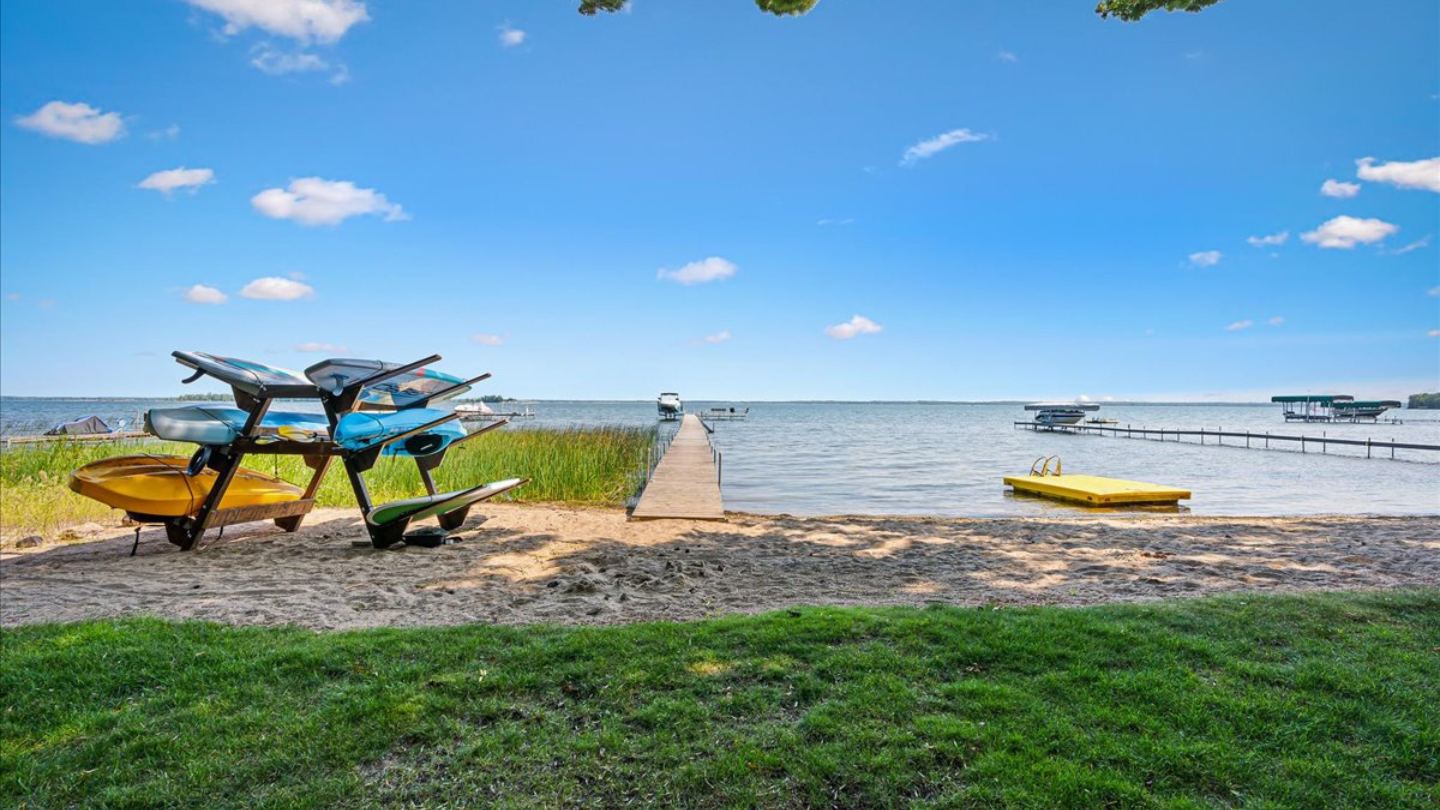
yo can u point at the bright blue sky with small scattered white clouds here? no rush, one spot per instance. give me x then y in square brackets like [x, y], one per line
[686, 197]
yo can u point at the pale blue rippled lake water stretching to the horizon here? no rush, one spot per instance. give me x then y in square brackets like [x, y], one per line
[948, 459]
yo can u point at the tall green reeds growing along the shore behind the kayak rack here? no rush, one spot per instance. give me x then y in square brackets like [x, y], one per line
[584, 466]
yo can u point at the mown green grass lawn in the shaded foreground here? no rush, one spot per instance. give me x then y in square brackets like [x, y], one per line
[1317, 701]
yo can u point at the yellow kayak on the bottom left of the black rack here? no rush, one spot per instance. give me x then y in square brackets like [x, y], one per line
[159, 486]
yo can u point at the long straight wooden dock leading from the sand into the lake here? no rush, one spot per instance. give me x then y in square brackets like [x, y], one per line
[688, 481]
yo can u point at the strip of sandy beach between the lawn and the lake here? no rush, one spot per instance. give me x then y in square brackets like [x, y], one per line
[542, 564]
